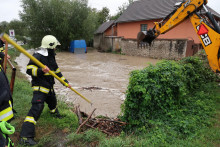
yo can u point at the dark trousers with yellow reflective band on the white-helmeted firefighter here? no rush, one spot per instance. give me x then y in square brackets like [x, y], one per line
[28, 127]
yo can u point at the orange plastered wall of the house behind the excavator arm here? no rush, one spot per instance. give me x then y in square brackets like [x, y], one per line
[184, 30]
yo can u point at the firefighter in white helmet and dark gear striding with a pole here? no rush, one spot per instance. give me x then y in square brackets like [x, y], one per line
[43, 88]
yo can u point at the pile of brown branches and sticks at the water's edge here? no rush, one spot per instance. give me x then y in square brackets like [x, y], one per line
[111, 127]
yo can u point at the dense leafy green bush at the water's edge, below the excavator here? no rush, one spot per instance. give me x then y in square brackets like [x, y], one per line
[170, 95]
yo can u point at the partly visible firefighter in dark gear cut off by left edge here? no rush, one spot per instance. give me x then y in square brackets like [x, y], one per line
[6, 111]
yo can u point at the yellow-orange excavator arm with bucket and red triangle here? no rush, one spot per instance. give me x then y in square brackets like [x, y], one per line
[207, 30]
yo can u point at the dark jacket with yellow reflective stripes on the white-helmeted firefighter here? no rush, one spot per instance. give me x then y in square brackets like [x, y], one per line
[44, 81]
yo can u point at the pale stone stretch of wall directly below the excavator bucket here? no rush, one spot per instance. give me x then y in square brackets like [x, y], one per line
[161, 49]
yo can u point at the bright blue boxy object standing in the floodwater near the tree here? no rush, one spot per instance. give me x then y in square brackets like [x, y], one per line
[78, 44]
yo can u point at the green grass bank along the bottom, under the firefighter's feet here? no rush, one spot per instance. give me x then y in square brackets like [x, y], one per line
[61, 132]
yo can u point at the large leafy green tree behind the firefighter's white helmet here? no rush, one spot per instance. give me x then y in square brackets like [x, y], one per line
[64, 19]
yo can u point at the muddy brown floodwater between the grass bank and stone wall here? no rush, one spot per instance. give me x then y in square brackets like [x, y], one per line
[100, 77]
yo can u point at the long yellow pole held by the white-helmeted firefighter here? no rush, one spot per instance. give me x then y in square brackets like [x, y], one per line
[22, 50]
